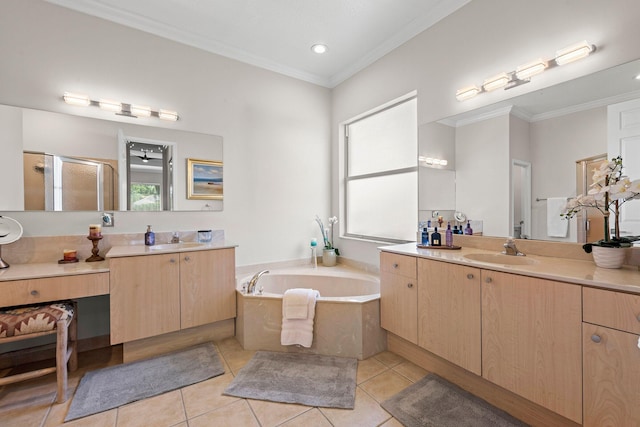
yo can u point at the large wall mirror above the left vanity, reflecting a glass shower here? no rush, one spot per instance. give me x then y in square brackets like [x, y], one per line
[61, 162]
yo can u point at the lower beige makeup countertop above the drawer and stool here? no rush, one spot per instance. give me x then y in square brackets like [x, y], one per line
[51, 269]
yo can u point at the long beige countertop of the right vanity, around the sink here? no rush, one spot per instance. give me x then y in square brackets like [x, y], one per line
[580, 272]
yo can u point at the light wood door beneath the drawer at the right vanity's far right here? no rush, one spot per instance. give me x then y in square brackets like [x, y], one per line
[611, 377]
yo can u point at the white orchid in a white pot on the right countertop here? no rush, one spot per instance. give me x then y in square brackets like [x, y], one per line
[609, 191]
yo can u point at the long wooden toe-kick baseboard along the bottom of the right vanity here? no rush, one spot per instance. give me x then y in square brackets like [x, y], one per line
[512, 403]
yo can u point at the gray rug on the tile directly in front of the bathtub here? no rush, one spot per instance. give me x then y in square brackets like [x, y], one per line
[307, 379]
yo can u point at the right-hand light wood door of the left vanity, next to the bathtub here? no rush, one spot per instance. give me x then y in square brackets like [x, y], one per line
[207, 287]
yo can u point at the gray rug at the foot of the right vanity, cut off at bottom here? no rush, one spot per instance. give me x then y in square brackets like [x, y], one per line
[435, 402]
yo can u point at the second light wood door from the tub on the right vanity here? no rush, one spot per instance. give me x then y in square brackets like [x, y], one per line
[449, 312]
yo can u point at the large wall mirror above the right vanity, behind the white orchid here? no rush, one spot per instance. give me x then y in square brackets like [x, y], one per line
[504, 161]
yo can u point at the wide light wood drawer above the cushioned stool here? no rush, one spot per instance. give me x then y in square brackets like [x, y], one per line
[33, 291]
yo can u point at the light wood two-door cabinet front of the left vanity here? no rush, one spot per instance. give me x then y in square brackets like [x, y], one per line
[156, 294]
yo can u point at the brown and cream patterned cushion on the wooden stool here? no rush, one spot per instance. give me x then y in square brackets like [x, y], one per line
[25, 320]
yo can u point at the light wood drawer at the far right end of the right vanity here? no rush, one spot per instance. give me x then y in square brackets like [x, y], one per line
[612, 309]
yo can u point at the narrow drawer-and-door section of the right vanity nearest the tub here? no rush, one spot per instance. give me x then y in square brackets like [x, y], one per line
[398, 296]
